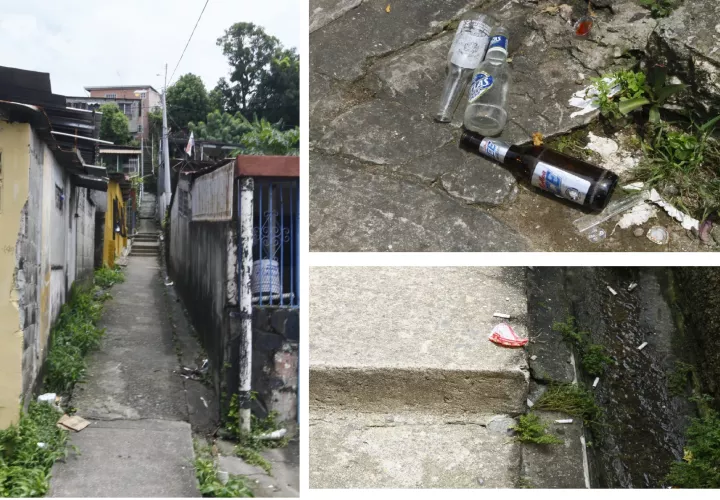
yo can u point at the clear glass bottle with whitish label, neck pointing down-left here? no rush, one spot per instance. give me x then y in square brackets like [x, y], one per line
[468, 48]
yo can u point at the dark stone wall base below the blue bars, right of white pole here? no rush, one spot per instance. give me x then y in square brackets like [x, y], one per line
[276, 332]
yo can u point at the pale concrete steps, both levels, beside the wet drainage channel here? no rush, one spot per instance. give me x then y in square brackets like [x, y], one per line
[406, 391]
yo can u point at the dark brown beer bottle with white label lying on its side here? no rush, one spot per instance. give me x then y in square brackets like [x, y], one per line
[565, 177]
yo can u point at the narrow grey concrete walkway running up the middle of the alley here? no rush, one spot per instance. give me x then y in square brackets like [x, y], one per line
[139, 443]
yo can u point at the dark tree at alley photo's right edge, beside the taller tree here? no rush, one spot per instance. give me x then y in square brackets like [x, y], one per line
[277, 98]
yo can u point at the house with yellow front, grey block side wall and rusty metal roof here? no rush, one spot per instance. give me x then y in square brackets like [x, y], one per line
[50, 188]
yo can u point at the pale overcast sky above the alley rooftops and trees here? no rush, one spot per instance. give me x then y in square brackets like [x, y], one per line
[110, 42]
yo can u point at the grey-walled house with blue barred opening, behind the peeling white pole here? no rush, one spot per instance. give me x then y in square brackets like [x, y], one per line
[207, 251]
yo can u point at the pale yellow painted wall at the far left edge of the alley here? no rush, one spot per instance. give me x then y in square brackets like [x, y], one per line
[14, 141]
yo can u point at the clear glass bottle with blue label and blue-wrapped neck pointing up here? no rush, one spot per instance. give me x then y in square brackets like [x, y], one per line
[486, 111]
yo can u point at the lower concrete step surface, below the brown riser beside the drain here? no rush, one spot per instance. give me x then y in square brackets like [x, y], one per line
[351, 450]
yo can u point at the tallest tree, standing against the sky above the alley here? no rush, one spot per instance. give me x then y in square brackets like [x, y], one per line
[250, 52]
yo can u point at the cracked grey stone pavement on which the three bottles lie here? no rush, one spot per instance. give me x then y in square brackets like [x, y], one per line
[377, 156]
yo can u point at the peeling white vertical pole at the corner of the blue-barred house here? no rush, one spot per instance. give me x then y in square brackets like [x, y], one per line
[246, 244]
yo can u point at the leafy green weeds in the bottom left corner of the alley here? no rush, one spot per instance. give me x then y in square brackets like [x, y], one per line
[25, 466]
